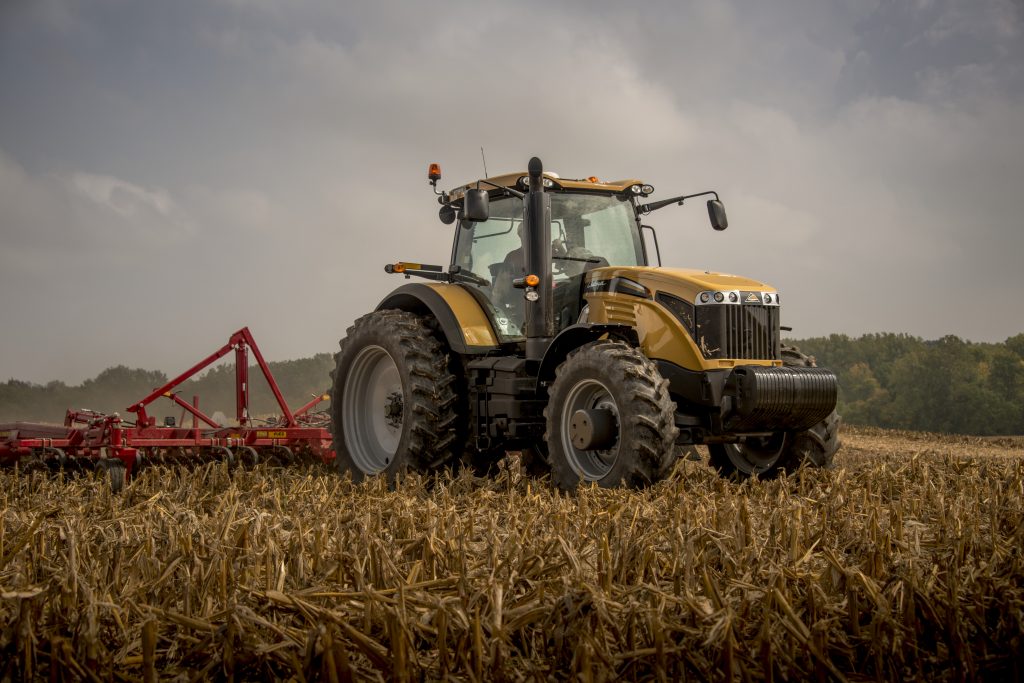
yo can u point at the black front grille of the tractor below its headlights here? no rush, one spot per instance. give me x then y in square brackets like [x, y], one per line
[739, 331]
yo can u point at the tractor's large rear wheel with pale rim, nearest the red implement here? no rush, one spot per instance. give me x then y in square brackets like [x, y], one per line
[394, 401]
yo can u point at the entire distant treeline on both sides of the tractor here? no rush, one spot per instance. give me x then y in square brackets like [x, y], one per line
[887, 380]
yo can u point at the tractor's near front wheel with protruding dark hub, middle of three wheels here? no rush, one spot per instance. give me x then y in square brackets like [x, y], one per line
[610, 419]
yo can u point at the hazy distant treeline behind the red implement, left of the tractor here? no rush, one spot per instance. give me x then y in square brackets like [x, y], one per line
[116, 389]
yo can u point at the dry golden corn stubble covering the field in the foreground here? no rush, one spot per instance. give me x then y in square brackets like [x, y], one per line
[905, 564]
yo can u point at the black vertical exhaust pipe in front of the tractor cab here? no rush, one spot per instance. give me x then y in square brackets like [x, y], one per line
[540, 315]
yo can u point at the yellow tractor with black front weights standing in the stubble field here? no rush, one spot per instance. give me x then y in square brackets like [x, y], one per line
[552, 333]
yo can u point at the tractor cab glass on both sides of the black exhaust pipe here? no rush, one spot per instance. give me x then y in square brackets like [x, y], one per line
[587, 232]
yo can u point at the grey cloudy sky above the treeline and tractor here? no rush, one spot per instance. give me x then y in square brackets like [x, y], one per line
[173, 172]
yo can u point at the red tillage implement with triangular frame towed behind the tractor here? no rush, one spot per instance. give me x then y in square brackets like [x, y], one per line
[122, 447]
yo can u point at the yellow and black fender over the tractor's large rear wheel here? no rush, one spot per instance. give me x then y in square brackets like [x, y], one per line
[462, 320]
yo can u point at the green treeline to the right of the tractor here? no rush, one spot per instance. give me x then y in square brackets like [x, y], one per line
[947, 386]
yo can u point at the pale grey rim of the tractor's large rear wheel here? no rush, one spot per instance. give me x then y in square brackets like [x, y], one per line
[373, 410]
